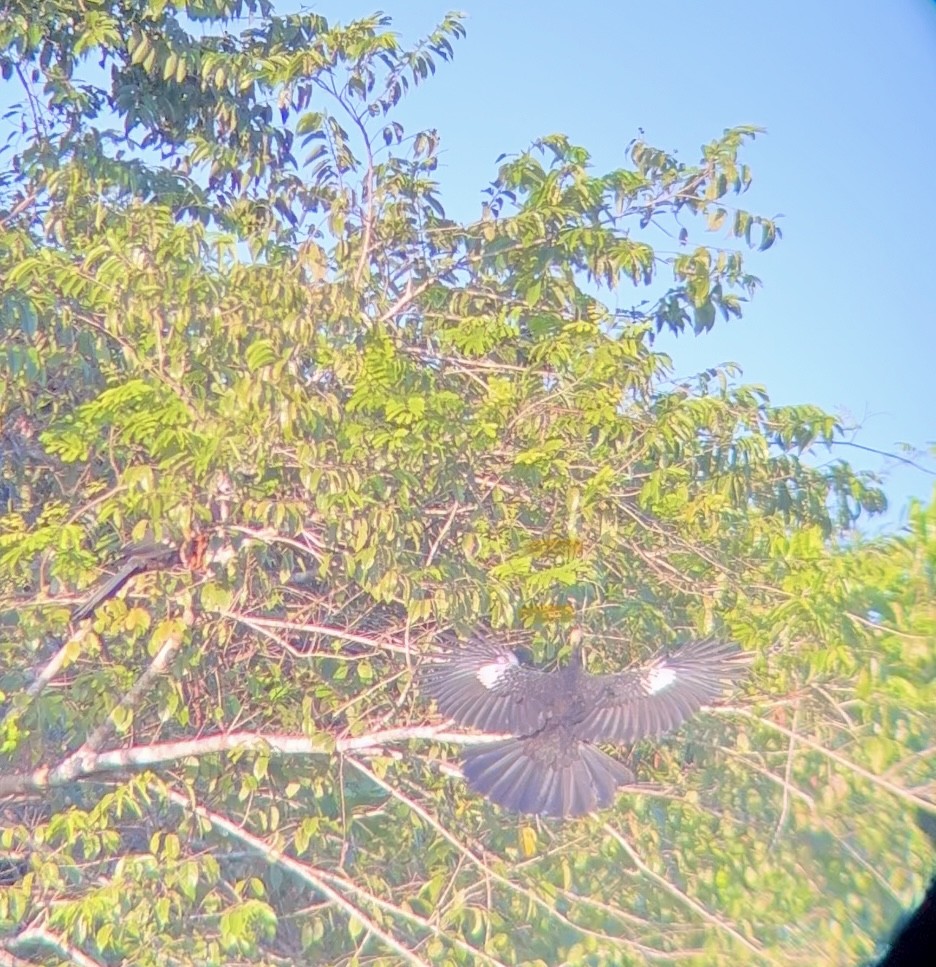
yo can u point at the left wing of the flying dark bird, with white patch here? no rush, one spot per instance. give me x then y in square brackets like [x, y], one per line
[483, 685]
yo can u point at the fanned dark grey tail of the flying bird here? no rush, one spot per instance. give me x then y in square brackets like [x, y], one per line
[532, 775]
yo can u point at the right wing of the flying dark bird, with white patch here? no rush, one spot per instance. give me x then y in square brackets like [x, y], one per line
[659, 696]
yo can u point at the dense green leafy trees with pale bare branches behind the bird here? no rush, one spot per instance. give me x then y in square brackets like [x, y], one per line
[238, 323]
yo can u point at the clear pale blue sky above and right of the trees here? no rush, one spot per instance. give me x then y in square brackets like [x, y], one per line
[846, 90]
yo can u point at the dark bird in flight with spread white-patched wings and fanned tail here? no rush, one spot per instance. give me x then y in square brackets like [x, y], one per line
[550, 766]
